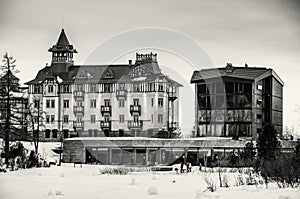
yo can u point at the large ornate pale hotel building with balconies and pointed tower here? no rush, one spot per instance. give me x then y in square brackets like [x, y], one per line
[133, 99]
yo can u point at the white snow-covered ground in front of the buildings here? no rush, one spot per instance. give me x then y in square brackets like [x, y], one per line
[87, 183]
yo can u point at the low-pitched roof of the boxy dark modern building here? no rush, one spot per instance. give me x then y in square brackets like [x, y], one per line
[249, 73]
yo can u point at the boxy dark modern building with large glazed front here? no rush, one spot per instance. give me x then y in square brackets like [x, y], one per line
[237, 101]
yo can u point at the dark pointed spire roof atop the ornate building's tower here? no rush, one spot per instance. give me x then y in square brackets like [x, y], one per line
[62, 44]
